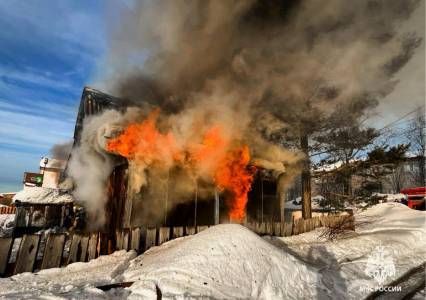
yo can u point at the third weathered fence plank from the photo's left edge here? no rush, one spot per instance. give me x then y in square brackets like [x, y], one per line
[52, 255]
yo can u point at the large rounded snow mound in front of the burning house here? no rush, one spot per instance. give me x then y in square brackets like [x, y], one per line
[222, 262]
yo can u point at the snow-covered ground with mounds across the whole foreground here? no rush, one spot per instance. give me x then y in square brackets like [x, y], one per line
[229, 261]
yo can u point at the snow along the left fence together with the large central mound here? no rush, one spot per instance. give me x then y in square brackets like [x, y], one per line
[225, 261]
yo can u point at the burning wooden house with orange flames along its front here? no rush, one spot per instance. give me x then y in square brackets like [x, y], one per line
[173, 197]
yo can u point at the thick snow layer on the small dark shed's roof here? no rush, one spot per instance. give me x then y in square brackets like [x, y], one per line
[41, 195]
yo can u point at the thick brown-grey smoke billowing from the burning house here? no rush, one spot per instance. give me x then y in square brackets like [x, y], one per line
[254, 68]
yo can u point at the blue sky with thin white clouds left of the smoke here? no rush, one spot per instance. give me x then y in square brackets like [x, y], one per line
[48, 51]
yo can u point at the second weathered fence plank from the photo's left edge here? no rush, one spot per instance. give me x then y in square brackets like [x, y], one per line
[27, 253]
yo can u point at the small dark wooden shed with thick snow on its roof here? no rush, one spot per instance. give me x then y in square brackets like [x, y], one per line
[40, 208]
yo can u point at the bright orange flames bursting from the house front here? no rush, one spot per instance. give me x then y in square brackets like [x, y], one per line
[226, 164]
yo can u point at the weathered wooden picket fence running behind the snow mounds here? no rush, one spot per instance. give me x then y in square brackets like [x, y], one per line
[33, 252]
